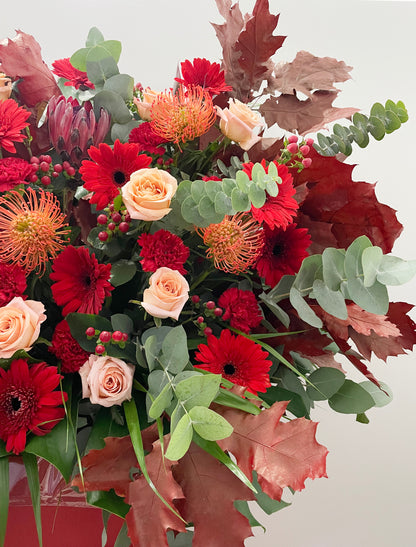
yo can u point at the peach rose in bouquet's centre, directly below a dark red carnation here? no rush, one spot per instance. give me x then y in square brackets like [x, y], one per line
[166, 295]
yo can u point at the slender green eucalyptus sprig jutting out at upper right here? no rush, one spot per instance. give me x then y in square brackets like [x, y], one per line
[382, 120]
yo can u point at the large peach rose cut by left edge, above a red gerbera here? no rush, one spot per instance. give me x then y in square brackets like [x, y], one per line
[20, 322]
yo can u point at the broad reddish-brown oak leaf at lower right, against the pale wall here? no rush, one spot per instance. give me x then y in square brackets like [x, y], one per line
[282, 454]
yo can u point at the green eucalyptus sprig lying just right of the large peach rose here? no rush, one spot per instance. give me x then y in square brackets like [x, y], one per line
[203, 203]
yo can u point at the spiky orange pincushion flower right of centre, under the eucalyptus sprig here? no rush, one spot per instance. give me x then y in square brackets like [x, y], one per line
[234, 244]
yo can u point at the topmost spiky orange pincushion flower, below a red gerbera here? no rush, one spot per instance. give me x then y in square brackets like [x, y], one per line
[184, 116]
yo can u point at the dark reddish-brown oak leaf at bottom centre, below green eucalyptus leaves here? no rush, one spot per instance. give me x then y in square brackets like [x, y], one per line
[210, 491]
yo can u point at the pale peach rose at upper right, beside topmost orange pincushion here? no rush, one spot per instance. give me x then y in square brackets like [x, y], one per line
[240, 124]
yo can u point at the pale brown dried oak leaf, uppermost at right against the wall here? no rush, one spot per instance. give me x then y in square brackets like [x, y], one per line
[307, 73]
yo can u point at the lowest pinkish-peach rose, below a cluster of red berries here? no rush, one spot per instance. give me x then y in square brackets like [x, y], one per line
[107, 381]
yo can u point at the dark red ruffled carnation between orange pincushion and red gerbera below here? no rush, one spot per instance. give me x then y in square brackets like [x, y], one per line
[241, 309]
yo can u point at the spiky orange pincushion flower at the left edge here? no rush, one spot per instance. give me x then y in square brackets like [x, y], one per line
[32, 229]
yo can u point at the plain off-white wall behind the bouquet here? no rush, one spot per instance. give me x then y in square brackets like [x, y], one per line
[368, 499]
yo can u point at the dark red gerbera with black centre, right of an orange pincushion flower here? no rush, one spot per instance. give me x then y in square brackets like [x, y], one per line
[282, 253]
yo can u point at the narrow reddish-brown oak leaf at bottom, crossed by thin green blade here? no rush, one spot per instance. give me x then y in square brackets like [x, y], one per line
[149, 519]
